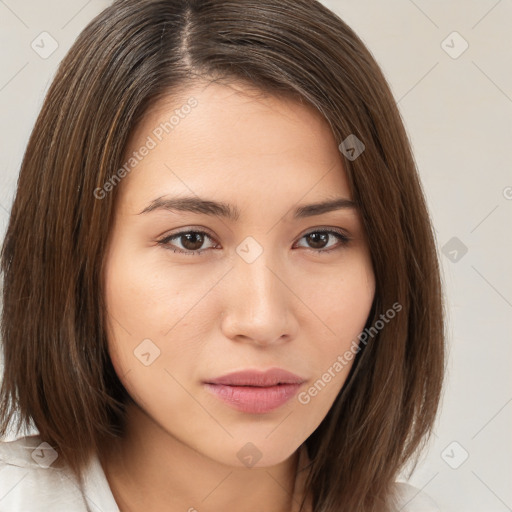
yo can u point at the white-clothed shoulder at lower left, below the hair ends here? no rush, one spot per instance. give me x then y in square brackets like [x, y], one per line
[31, 480]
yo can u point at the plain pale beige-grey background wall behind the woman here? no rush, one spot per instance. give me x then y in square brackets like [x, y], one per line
[455, 95]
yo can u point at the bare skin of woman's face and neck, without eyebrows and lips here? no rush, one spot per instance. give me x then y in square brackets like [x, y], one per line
[214, 313]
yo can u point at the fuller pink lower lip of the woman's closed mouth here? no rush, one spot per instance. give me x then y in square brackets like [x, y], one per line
[251, 399]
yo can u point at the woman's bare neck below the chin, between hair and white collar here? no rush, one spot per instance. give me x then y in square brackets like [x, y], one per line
[149, 469]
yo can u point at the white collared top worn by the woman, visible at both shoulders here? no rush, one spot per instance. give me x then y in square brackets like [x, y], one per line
[29, 483]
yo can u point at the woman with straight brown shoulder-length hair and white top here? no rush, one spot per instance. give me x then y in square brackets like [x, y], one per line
[221, 288]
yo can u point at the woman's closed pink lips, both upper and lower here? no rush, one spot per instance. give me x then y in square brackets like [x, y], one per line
[254, 391]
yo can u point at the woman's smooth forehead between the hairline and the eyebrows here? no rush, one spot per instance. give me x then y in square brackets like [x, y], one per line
[234, 139]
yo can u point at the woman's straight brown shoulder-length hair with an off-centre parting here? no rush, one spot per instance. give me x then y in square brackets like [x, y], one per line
[58, 375]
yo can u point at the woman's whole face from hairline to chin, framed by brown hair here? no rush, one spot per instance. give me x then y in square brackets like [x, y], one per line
[196, 291]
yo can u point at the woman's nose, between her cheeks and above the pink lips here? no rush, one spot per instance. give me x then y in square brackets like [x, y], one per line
[258, 305]
